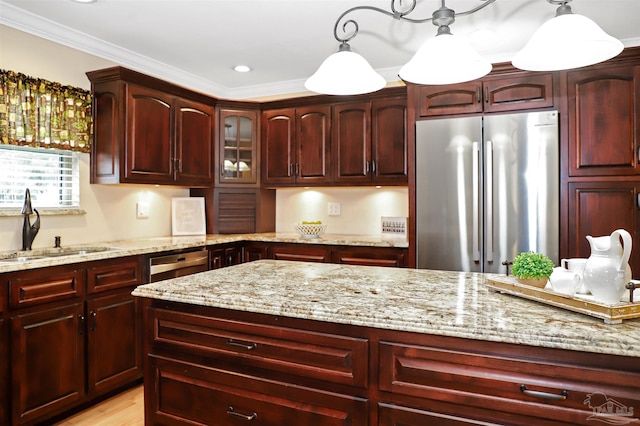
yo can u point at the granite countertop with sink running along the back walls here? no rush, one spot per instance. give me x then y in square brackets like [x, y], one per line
[113, 249]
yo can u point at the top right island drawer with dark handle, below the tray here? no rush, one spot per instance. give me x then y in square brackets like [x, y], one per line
[560, 388]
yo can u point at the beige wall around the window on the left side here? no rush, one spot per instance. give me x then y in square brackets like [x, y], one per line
[110, 209]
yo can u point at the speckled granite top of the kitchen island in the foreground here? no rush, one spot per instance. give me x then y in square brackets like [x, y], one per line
[454, 304]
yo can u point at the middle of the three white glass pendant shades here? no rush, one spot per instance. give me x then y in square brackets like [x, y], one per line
[445, 59]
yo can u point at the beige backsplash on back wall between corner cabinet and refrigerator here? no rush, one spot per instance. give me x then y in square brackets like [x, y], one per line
[361, 208]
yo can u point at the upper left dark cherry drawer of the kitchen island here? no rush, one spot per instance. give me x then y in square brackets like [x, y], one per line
[311, 355]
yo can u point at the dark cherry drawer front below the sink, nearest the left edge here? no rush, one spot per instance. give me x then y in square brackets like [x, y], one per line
[35, 287]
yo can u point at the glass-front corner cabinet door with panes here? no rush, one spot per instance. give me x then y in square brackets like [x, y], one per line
[238, 146]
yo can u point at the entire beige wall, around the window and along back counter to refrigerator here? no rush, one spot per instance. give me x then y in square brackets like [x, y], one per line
[111, 209]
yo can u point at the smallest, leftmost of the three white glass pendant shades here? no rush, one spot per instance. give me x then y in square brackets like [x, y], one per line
[345, 73]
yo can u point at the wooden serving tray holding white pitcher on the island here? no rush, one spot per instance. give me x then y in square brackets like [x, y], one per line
[584, 304]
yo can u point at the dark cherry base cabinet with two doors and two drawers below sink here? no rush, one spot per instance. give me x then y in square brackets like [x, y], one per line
[75, 334]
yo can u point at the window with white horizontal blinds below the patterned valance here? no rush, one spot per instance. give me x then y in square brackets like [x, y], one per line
[52, 176]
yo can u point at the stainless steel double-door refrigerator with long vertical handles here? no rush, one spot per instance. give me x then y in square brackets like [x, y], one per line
[487, 188]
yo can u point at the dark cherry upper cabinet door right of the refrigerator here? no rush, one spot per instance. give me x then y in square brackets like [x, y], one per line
[604, 128]
